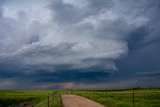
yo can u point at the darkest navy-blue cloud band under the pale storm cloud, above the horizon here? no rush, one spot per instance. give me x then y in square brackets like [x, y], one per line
[76, 76]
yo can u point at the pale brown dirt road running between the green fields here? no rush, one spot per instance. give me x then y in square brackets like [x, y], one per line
[77, 101]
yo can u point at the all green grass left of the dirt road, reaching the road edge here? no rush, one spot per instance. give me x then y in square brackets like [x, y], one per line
[36, 98]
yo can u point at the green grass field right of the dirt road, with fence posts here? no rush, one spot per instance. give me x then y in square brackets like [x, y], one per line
[123, 98]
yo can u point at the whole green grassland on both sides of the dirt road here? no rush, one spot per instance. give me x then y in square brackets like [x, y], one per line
[109, 98]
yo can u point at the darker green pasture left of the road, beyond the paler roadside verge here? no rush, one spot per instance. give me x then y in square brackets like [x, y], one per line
[22, 97]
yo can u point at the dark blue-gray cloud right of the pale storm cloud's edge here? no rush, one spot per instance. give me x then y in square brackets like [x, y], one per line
[144, 43]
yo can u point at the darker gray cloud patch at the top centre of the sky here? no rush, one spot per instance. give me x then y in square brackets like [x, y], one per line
[67, 12]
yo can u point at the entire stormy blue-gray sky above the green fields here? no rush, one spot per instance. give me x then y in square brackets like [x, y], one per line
[61, 44]
